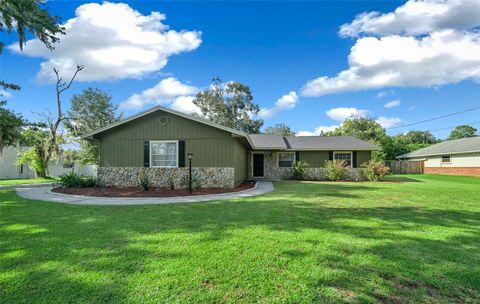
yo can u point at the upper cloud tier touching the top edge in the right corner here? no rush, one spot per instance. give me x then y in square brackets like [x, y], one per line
[416, 17]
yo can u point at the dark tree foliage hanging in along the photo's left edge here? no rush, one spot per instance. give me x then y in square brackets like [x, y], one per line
[23, 16]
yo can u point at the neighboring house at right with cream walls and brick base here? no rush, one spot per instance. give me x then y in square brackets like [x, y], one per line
[454, 157]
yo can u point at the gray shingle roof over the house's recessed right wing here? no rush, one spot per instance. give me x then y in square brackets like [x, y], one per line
[272, 142]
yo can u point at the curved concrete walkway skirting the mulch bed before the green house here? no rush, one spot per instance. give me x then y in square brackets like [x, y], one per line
[44, 194]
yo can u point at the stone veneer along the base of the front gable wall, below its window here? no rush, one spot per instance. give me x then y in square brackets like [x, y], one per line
[211, 177]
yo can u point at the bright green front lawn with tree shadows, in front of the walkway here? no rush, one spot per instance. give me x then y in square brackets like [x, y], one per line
[409, 242]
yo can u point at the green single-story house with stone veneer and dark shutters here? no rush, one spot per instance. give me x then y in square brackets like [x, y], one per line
[156, 143]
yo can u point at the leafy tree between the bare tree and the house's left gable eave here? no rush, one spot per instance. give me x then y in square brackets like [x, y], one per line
[89, 111]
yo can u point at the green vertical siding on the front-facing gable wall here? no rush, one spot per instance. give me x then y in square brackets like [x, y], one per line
[123, 146]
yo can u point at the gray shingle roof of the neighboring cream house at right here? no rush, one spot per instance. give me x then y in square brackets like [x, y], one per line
[456, 146]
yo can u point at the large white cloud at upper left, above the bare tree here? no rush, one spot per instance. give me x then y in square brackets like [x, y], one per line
[112, 41]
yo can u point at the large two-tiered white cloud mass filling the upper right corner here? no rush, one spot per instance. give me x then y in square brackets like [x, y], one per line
[422, 44]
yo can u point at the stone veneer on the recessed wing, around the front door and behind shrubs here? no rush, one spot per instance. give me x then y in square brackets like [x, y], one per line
[272, 171]
